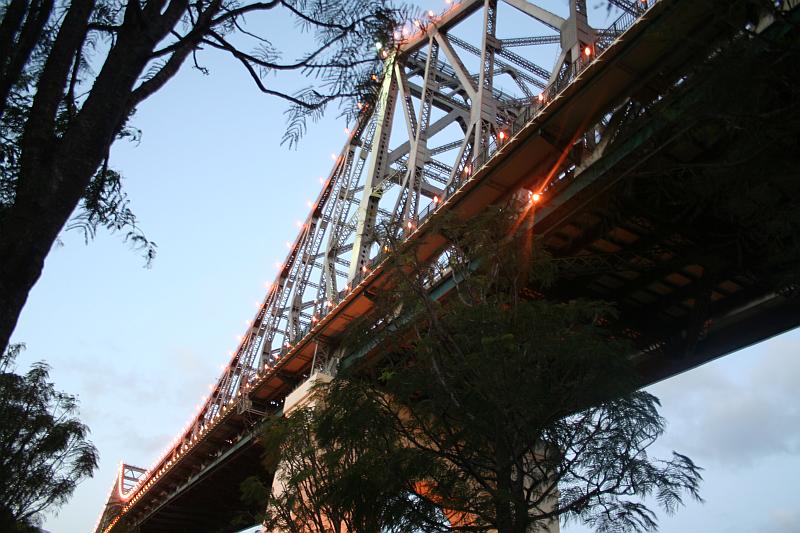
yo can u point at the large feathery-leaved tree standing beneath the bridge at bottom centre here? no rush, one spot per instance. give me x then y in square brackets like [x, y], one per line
[518, 412]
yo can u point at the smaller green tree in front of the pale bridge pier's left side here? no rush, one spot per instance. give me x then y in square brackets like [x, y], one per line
[347, 483]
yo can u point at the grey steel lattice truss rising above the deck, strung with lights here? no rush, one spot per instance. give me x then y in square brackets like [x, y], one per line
[444, 107]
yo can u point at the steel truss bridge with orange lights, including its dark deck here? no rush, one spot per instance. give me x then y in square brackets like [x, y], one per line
[466, 118]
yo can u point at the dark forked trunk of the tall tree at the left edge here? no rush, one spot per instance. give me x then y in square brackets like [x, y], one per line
[56, 171]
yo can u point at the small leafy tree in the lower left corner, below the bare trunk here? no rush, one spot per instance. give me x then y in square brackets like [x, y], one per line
[44, 453]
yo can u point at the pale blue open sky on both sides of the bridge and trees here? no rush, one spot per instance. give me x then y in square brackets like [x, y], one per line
[211, 185]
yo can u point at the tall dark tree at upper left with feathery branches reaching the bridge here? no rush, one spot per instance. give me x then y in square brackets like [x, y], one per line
[72, 74]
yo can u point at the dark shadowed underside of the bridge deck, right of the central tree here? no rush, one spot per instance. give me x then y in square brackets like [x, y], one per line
[689, 221]
